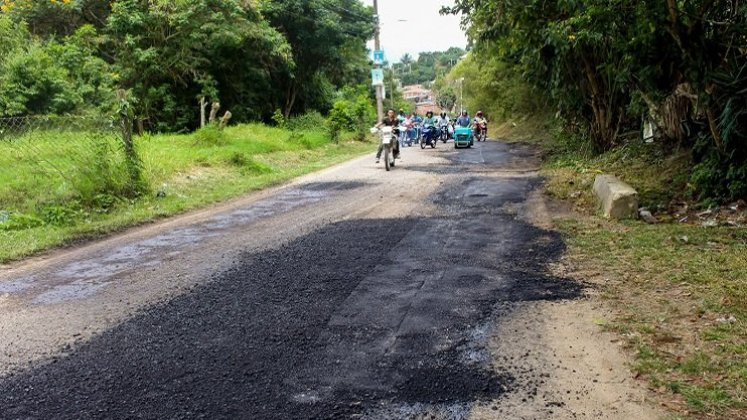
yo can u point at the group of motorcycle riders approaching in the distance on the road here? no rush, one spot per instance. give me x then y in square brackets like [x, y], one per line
[401, 130]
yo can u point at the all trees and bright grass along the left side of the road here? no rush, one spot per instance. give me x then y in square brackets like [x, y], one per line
[219, 97]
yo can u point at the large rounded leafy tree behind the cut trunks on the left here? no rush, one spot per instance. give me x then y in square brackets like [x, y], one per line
[169, 53]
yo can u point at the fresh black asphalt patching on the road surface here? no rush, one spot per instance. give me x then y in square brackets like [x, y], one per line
[369, 318]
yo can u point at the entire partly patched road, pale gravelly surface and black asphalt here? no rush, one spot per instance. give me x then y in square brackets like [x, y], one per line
[350, 293]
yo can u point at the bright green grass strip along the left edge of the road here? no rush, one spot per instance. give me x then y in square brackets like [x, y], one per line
[63, 187]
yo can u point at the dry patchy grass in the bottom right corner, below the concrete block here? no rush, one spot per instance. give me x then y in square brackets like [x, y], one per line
[681, 293]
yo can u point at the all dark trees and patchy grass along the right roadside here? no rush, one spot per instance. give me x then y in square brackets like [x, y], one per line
[652, 92]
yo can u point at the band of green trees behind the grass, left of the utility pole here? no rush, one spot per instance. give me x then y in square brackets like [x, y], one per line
[254, 57]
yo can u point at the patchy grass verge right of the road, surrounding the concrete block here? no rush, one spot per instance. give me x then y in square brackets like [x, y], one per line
[679, 290]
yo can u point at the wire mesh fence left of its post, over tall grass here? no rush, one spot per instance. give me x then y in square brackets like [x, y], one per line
[55, 159]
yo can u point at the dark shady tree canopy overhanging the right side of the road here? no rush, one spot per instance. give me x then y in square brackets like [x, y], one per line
[608, 66]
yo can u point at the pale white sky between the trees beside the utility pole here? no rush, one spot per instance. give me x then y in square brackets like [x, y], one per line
[424, 30]
